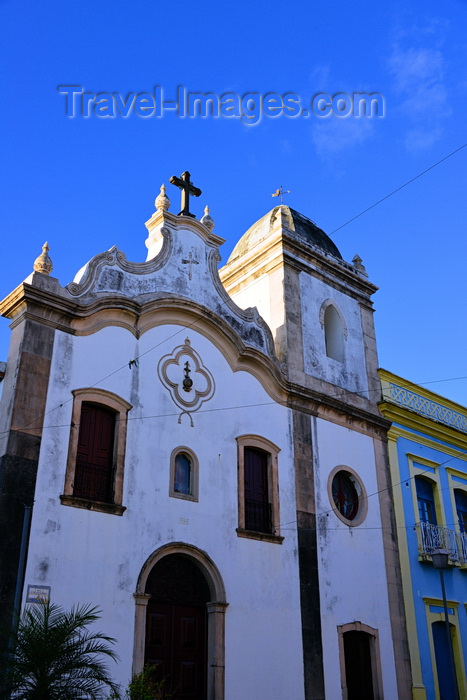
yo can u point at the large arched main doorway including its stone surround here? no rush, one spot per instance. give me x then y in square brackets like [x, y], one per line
[180, 621]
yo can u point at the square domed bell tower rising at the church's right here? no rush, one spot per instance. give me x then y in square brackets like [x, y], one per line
[317, 305]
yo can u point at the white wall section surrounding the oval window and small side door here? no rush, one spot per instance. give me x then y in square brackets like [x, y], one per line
[352, 574]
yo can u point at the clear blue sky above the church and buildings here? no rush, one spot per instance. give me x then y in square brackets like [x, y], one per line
[87, 184]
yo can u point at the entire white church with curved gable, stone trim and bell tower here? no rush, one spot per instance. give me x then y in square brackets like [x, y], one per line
[200, 453]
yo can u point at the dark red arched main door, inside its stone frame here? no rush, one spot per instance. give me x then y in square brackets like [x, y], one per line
[176, 626]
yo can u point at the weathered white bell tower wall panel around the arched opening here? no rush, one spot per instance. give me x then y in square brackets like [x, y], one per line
[350, 374]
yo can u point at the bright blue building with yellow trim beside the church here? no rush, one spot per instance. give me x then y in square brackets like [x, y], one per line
[428, 461]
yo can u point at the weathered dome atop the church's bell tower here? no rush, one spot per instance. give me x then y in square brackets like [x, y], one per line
[294, 222]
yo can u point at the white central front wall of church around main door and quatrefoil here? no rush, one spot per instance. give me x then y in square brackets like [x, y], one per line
[93, 557]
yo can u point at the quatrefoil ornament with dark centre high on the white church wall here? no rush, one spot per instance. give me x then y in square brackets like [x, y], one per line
[188, 381]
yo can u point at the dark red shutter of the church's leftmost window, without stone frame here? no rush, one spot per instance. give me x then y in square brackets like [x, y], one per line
[94, 457]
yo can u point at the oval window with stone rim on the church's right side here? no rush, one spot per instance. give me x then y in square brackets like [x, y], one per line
[347, 496]
